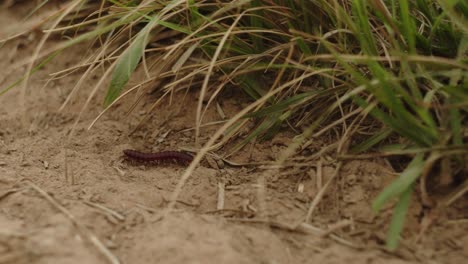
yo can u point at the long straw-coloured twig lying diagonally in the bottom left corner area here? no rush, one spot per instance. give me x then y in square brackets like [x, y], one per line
[86, 232]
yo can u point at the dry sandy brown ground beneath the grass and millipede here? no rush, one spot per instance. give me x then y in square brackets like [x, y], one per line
[77, 201]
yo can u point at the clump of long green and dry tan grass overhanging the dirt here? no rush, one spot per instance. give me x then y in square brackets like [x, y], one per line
[400, 66]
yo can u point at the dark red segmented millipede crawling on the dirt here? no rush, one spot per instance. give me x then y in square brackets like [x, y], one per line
[177, 156]
